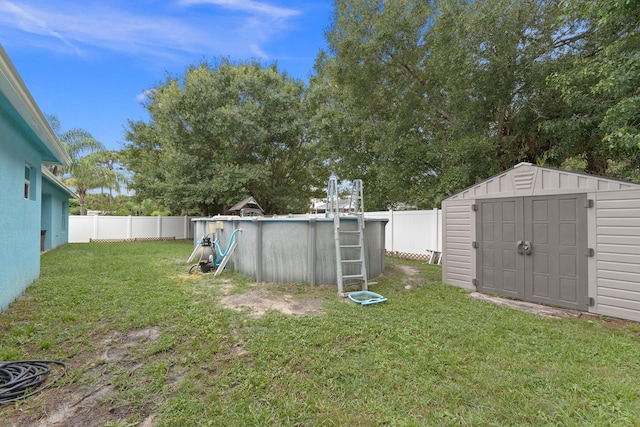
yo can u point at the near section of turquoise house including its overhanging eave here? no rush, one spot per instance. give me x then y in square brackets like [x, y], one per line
[26, 143]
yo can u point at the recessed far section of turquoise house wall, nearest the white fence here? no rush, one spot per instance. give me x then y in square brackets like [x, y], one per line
[55, 215]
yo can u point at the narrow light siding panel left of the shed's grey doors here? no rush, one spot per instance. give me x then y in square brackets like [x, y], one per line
[458, 231]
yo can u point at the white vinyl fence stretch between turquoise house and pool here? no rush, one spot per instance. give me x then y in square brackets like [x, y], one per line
[96, 227]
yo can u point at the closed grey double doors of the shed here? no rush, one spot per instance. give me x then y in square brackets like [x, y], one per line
[533, 249]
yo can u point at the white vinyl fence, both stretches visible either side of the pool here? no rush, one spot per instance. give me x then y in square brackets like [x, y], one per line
[407, 232]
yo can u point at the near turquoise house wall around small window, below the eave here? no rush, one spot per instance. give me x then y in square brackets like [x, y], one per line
[19, 217]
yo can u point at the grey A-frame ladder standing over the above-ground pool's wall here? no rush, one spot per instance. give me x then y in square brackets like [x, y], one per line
[349, 243]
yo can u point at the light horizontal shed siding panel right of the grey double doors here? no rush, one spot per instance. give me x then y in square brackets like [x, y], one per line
[618, 253]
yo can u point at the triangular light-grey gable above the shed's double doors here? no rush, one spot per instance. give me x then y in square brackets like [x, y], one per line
[526, 179]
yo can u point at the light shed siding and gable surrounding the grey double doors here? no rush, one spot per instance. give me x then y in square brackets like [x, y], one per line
[613, 231]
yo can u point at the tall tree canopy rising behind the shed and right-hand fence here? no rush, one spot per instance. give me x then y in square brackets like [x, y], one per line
[426, 98]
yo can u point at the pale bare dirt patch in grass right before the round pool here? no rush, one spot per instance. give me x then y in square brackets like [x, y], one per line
[258, 302]
